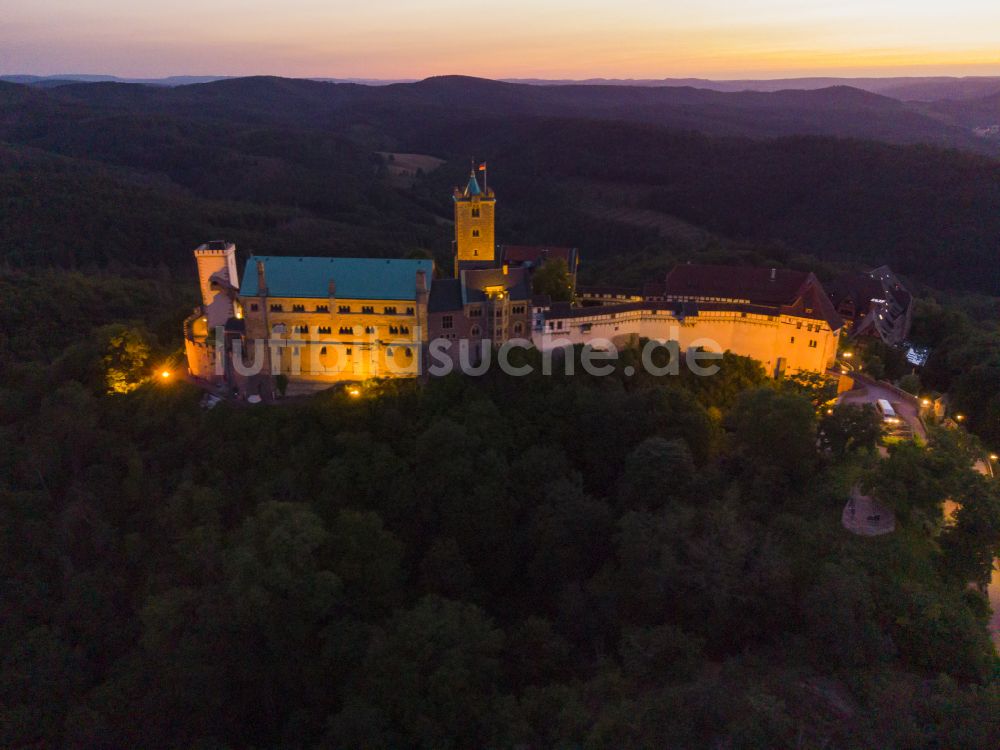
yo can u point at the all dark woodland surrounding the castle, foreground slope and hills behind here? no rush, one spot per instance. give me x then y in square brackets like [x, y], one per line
[566, 561]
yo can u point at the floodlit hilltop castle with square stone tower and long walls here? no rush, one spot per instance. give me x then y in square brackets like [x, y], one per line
[322, 321]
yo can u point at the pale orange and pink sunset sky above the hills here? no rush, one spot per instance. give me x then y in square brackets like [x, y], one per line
[512, 38]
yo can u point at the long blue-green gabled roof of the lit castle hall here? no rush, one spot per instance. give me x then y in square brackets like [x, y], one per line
[355, 278]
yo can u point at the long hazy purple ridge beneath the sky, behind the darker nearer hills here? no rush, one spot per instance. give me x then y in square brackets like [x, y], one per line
[399, 110]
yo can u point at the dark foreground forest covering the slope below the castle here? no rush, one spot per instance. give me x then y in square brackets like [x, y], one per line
[551, 561]
